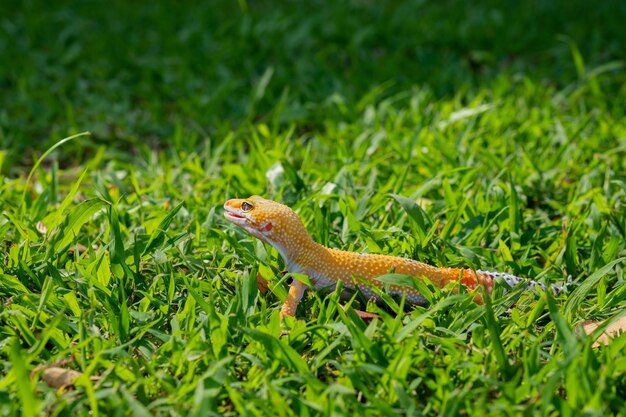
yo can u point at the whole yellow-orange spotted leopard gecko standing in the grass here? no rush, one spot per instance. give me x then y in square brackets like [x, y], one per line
[280, 226]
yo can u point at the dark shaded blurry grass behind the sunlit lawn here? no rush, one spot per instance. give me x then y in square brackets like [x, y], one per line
[149, 72]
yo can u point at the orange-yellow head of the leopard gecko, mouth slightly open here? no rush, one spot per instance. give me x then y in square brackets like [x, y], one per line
[267, 220]
